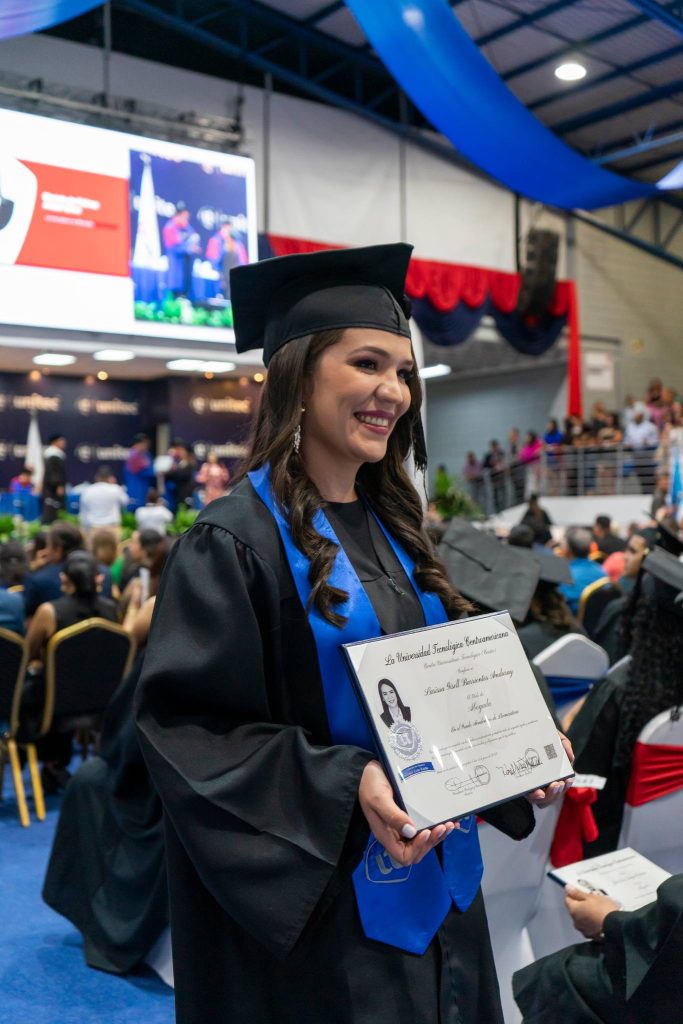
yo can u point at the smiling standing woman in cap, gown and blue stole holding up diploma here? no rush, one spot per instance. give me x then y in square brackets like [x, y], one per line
[284, 907]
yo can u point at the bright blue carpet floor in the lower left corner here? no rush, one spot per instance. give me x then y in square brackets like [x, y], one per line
[44, 976]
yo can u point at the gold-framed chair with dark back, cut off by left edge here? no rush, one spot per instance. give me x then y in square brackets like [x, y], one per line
[14, 662]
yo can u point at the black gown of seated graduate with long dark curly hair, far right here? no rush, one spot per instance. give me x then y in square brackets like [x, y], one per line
[593, 735]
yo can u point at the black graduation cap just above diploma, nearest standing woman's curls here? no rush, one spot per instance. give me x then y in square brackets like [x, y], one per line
[492, 575]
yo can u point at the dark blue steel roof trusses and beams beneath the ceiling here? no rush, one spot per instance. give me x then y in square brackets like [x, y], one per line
[296, 54]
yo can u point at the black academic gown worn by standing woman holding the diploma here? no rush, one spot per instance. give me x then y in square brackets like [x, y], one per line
[264, 826]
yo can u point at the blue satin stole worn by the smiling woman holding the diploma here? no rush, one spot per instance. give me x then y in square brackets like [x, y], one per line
[403, 907]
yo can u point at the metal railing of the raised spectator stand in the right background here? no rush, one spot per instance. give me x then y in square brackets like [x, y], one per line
[569, 472]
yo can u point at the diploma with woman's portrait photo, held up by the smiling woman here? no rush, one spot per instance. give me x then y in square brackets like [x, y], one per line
[458, 717]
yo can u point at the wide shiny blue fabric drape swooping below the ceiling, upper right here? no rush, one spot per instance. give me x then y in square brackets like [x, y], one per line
[450, 80]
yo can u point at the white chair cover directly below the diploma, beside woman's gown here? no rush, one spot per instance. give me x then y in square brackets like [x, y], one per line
[513, 877]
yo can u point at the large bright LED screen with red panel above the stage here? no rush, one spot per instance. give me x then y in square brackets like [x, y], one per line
[106, 232]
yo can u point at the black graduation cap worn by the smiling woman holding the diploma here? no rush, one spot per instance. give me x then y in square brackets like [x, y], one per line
[278, 301]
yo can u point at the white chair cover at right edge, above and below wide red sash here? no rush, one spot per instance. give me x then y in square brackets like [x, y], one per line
[656, 829]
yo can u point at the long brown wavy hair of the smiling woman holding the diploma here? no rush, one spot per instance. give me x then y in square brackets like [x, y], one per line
[387, 484]
